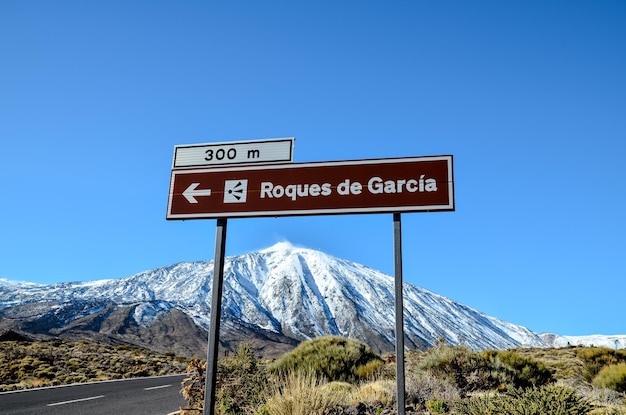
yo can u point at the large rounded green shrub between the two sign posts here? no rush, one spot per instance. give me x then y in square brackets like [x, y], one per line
[331, 357]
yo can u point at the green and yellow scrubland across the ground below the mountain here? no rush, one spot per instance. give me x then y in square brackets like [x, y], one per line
[338, 376]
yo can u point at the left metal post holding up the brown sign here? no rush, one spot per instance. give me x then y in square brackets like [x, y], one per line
[216, 314]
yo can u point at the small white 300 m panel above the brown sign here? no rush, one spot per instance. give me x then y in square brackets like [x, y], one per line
[271, 150]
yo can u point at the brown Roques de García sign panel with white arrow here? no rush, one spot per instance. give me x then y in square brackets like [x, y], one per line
[340, 187]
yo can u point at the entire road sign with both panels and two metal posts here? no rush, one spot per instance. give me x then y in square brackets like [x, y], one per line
[258, 179]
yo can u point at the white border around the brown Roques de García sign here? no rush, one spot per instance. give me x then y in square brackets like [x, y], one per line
[311, 212]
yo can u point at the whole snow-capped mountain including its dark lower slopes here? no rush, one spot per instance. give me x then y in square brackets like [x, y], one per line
[283, 294]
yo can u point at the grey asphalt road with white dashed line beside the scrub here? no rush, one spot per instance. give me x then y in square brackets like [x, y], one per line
[143, 396]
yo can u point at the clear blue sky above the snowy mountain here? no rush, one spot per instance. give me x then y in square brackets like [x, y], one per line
[529, 97]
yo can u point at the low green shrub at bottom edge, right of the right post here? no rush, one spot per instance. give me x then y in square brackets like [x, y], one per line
[549, 400]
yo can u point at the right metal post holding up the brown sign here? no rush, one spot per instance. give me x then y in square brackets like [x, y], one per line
[397, 250]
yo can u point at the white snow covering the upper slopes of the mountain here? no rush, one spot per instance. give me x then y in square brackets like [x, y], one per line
[297, 292]
